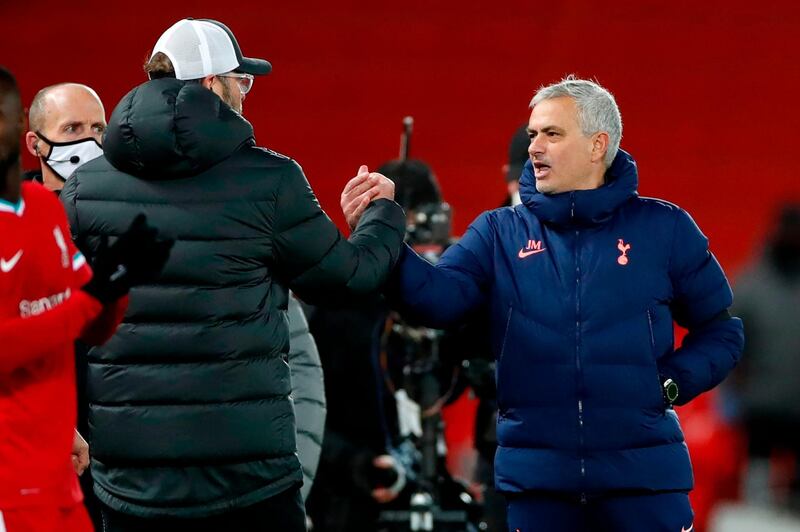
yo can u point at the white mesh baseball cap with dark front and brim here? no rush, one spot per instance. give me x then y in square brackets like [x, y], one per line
[205, 47]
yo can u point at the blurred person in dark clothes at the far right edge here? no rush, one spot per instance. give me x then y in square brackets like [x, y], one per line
[768, 381]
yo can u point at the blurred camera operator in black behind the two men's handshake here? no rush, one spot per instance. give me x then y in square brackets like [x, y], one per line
[358, 475]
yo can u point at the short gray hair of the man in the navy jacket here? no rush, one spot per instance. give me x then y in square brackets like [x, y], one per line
[597, 109]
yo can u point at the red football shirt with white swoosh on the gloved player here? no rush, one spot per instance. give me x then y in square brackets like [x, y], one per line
[42, 311]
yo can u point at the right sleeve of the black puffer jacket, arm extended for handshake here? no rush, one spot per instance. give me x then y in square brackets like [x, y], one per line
[311, 254]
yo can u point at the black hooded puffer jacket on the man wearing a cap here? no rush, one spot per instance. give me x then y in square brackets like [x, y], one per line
[189, 402]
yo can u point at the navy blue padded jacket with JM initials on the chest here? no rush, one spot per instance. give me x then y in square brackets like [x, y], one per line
[583, 288]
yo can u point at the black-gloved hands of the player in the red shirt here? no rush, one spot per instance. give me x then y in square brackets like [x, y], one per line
[137, 257]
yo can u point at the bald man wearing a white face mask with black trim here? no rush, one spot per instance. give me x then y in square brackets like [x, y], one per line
[66, 122]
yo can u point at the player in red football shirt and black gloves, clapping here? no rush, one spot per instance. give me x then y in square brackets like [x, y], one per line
[49, 297]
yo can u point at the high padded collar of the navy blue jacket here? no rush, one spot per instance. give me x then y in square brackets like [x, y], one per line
[582, 207]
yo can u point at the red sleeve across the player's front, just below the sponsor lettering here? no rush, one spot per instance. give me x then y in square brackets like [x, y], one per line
[22, 338]
